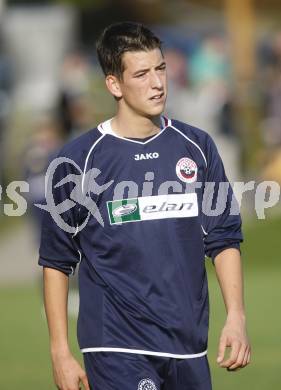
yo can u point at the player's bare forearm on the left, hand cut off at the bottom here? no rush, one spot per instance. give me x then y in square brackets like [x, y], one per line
[67, 371]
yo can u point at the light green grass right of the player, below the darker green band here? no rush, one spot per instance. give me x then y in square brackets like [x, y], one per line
[262, 295]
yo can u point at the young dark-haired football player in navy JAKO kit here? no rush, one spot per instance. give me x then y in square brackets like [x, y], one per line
[140, 231]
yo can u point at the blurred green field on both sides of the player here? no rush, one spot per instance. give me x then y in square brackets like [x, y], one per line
[24, 355]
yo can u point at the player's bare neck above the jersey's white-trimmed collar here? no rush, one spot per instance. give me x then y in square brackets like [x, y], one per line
[135, 126]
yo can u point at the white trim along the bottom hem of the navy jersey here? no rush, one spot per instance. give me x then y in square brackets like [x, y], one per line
[142, 352]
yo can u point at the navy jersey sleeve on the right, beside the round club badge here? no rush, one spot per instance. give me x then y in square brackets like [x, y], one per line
[221, 220]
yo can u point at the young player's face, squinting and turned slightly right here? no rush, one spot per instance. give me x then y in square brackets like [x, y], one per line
[144, 82]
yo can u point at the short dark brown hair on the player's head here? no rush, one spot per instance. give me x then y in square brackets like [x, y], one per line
[119, 38]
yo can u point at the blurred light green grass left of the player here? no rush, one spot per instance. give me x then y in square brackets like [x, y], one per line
[24, 358]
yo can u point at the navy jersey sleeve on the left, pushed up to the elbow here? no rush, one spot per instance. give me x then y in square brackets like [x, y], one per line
[58, 248]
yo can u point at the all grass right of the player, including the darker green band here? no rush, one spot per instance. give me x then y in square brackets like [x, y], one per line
[262, 270]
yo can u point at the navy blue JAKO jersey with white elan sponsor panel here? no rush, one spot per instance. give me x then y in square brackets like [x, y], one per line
[141, 234]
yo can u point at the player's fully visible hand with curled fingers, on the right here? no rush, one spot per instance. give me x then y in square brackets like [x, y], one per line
[234, 335]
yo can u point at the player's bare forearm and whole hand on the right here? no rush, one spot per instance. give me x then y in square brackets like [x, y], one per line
[234, 334]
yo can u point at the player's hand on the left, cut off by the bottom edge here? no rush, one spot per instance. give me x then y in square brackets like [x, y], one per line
[68, 373]
